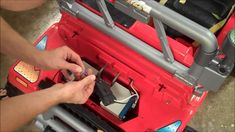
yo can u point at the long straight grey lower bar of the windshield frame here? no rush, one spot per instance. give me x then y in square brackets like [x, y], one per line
[127, 39]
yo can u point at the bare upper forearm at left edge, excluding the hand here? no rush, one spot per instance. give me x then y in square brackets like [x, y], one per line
[14, 45]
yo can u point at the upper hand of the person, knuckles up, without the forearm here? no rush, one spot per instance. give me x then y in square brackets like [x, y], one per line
[61, 58]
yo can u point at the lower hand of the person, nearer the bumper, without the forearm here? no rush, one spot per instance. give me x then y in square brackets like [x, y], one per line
[76, 92]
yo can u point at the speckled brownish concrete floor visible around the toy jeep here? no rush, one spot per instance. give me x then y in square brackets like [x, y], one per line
[215, 115]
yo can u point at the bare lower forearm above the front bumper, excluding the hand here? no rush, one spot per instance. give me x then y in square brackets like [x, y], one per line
[17, 111]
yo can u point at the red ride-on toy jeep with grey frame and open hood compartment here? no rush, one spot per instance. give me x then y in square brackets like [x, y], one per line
[130, 44]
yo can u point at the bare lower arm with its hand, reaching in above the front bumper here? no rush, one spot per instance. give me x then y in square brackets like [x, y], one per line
[17, 111]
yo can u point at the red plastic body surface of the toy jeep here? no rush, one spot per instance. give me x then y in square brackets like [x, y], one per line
[155, 108]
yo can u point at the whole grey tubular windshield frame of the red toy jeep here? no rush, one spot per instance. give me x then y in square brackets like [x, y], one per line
[161, 14]
